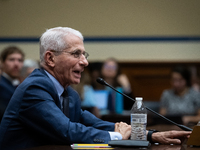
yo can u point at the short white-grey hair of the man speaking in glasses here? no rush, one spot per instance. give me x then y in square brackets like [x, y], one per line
[55, 39]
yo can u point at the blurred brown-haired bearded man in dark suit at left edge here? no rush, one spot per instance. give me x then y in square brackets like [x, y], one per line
[11, 65]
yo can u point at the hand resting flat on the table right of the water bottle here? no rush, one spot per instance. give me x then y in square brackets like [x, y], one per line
[170, 137]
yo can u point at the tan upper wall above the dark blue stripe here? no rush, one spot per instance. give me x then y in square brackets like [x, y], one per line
[101, 18]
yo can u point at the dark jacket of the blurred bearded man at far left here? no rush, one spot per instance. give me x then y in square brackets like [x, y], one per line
[6, 92]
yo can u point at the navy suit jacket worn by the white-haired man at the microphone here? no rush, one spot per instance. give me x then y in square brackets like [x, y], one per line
[34, 118]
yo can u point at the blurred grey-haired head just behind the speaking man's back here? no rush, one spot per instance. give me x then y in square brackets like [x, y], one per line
[28, 66]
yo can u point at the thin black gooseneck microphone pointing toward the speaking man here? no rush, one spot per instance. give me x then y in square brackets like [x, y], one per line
[101, 81]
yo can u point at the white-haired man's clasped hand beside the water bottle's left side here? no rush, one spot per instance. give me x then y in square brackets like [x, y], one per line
[124, 129]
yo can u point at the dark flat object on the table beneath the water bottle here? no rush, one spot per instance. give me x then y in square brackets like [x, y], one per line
[129, 143]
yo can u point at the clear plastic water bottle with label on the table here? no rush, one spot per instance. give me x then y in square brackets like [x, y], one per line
[138, 120]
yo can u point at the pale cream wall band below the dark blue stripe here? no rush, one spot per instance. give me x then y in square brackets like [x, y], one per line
[129, 51]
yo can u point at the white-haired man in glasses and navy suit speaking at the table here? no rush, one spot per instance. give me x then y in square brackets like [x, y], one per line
[45, 110]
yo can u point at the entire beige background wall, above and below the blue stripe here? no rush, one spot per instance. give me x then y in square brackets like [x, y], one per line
[119, 18]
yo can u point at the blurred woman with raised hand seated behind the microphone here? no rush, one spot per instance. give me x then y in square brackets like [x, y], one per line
[111, 74]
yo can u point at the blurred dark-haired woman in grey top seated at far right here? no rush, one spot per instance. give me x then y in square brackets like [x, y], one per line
[181, 99]
